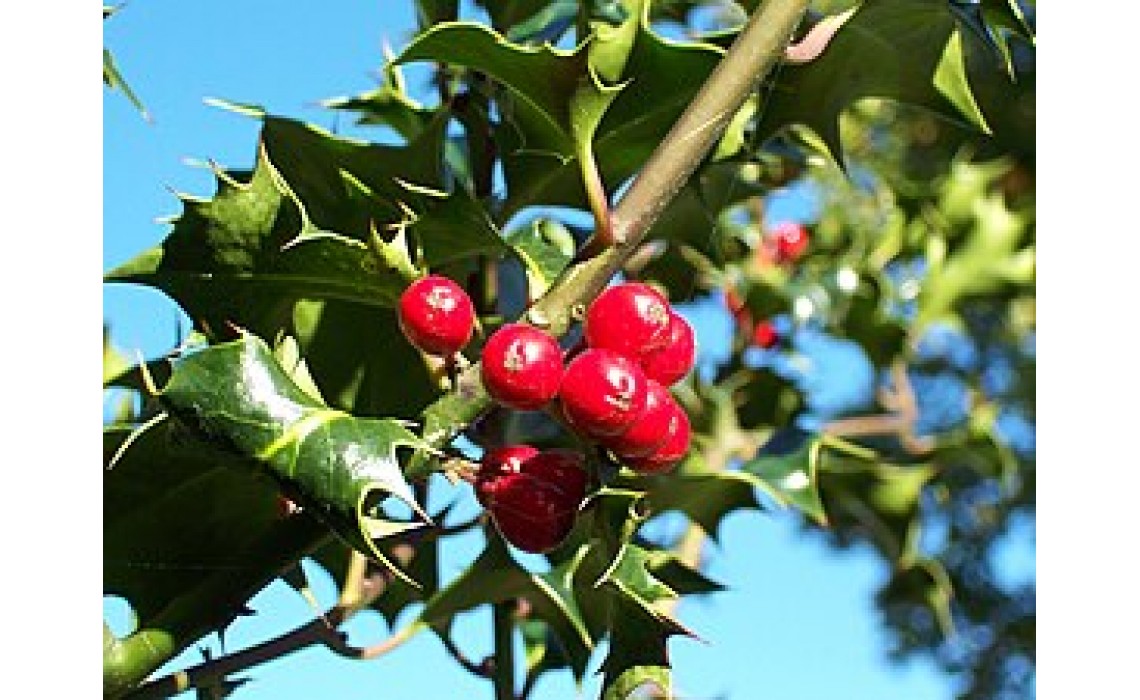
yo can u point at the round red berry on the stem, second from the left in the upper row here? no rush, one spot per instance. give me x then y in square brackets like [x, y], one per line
[522, 368]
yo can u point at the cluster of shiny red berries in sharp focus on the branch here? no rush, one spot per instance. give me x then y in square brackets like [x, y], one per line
[614, 392]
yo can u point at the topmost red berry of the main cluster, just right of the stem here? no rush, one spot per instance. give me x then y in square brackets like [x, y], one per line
[630, 319]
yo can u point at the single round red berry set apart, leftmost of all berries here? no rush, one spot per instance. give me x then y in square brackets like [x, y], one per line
[437, 315]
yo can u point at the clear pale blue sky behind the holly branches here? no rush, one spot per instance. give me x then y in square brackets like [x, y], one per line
[797, 622]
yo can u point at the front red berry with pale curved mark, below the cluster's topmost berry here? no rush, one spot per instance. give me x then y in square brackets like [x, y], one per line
[602, 393]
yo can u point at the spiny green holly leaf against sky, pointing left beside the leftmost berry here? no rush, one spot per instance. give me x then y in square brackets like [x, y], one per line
[248, 254]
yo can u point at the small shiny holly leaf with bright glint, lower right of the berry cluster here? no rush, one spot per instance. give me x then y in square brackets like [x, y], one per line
[787, 468]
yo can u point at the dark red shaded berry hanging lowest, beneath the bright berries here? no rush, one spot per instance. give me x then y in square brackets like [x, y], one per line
[533, 500]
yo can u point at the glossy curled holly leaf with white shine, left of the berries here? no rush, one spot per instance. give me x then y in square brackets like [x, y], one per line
[336, 466]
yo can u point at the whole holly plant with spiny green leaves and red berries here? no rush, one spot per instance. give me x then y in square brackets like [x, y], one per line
[509, 310]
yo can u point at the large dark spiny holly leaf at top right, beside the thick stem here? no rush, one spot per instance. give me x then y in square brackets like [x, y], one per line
[913, 52]
